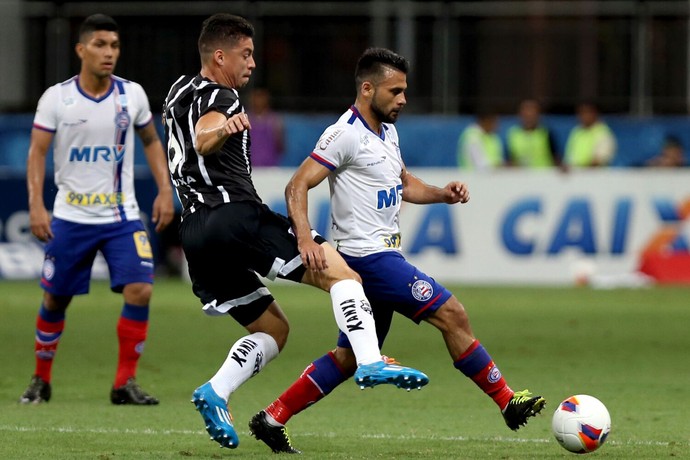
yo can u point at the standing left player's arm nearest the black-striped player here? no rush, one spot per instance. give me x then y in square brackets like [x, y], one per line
[163, 211]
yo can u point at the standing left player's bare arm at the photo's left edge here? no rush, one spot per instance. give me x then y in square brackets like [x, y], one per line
[39, 217]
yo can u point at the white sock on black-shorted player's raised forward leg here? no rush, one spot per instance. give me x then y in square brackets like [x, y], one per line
[354, 317]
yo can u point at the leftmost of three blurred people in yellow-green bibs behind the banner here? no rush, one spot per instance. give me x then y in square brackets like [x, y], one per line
[479, 146]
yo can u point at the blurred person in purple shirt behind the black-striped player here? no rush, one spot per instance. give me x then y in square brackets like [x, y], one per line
[267, 129]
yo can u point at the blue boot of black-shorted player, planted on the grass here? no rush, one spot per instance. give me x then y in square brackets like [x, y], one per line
[217, 418]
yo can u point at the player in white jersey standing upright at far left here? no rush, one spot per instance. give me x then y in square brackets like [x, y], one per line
[90, 120]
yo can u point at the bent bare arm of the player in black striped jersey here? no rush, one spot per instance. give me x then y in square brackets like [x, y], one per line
[213, 129]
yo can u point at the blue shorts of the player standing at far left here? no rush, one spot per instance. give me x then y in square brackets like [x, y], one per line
[70, 254]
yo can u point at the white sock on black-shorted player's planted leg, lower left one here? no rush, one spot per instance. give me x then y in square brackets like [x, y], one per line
[246, 358]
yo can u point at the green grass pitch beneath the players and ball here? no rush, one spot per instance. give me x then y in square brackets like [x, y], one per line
[629, 348]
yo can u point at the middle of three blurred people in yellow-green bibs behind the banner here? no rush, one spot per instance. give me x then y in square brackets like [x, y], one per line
[530, 143]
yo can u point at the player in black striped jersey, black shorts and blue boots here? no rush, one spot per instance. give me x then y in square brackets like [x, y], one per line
[228, 234]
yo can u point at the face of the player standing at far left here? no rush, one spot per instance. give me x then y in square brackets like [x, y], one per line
[99, 53]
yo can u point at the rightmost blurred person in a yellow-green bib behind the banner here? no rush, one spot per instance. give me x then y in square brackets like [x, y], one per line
[591, 142]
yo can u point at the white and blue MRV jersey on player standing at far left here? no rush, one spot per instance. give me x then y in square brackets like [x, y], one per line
[93, 149]
